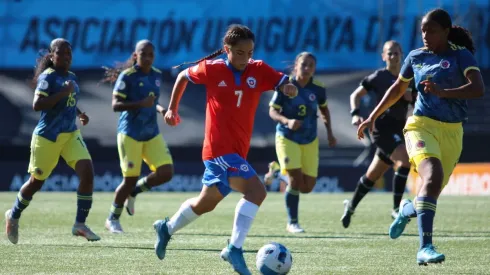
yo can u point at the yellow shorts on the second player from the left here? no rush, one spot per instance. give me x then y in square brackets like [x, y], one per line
[154, 152]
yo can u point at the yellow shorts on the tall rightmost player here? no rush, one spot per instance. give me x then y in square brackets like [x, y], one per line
[425, 137]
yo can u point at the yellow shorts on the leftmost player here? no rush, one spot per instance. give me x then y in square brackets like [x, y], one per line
[45, 153]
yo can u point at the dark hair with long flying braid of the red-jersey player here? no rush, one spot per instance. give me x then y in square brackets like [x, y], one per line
[234, 34]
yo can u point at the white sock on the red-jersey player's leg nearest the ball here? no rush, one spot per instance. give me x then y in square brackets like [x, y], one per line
[245, 212]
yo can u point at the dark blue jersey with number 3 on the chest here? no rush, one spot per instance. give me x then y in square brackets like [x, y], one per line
[303, 107]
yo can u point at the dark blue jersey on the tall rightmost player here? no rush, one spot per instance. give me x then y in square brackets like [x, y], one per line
[448, 70]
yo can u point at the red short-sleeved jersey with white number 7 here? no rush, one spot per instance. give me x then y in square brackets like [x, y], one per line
[232, 98]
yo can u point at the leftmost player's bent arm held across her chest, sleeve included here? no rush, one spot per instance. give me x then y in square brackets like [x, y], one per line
[43, 97]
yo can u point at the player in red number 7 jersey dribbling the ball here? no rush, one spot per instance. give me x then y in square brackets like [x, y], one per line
[233, 87]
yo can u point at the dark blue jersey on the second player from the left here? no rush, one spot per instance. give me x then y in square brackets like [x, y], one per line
[133, 85]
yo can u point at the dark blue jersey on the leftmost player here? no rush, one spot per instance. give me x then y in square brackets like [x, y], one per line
[62, 117]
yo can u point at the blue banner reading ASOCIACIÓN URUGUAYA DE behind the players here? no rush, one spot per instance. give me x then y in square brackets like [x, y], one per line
[345, 35]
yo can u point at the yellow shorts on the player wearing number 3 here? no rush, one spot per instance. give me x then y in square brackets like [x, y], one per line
[292, 155]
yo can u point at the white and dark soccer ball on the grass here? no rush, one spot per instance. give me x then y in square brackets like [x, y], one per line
[274, 258]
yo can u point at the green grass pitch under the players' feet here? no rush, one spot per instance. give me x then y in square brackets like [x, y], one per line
[462, 233]
